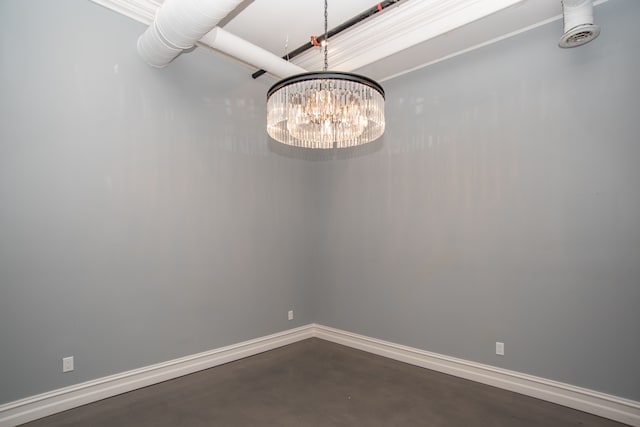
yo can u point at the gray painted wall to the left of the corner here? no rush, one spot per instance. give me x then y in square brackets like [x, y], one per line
[142, 215]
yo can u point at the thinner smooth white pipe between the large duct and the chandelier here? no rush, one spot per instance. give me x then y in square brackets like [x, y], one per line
[245, 51]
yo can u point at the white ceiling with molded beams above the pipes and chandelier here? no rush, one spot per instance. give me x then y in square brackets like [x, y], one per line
[276, 24]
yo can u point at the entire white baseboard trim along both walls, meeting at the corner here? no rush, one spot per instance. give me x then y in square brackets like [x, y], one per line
[42, 405]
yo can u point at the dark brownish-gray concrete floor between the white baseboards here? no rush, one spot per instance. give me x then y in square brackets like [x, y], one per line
[318, 383]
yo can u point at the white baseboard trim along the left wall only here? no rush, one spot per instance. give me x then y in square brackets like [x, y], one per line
[42, 405]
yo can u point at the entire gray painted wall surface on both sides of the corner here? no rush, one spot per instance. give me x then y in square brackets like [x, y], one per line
[144, 215]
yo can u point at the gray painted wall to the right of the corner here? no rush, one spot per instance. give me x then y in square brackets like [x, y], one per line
[504, 205]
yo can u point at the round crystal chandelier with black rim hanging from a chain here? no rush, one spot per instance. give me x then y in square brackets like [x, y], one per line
[325, 109]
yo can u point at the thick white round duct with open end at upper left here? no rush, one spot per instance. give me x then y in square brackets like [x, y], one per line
[178, 25]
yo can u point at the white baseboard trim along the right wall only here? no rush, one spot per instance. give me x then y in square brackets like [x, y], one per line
[601, 404]
